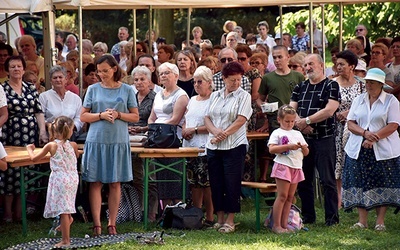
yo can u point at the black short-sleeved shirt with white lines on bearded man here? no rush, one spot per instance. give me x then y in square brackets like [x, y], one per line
[311, 98]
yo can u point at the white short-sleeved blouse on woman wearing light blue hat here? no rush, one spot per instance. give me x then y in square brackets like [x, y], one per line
[383, 111]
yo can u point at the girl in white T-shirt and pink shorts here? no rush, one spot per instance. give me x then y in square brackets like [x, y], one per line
[289, 147]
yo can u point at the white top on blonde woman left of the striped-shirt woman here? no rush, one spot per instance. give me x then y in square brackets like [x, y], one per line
[194, 117]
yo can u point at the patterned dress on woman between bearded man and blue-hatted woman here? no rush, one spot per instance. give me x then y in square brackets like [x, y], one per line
[348, 94]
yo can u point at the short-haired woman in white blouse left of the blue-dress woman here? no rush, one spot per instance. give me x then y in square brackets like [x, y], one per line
[58, 101]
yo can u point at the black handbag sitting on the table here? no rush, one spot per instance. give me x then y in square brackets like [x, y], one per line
[161, 135]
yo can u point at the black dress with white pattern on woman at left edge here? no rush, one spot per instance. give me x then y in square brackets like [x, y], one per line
[20, 129]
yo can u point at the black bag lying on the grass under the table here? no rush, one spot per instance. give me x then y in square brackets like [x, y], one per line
[182, 218]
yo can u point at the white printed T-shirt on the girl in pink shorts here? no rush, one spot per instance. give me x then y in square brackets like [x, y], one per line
[294, 158]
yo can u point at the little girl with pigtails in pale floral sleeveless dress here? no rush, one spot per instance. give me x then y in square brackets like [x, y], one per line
[63, 181]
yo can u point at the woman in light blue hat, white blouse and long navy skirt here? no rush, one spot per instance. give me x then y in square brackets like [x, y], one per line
[371, 177]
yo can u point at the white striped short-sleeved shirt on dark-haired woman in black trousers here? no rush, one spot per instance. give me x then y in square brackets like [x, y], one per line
[223, 111]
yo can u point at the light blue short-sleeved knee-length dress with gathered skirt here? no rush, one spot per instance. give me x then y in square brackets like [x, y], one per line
[107, 153]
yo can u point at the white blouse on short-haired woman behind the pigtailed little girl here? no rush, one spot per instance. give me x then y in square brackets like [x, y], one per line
[53, 106]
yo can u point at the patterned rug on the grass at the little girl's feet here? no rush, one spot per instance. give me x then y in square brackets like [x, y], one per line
[48, 243]
